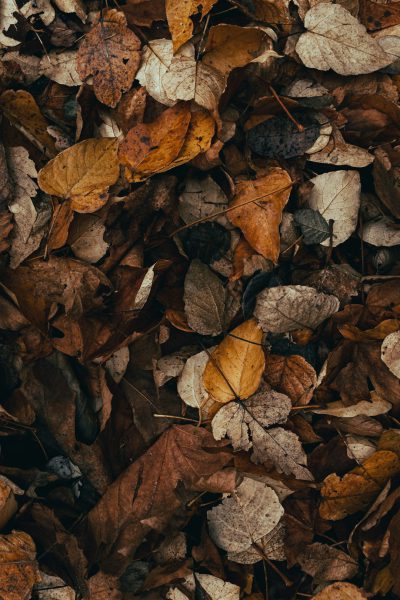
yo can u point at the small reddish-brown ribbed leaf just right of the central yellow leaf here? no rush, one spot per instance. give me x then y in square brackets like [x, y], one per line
[291, 375]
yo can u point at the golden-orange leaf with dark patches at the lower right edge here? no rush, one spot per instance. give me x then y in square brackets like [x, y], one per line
[358, 489]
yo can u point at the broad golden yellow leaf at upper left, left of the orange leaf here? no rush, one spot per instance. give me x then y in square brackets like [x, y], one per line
[82, 173]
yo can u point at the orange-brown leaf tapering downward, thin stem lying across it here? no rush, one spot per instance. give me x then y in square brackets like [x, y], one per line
[260, 220]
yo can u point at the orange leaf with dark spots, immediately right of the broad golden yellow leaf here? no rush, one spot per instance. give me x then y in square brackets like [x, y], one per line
[151, 147]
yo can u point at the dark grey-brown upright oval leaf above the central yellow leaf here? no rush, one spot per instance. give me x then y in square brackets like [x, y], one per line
[204, 299]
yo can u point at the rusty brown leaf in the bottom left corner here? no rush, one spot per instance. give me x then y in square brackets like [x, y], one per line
[18, 567]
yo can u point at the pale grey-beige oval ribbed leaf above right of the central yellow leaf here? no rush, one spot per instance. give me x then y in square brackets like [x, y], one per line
[289, 307]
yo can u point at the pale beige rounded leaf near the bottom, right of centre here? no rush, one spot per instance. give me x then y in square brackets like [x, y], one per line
[245, 516]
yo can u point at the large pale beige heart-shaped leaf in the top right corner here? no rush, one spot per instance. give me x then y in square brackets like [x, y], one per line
[336, 40]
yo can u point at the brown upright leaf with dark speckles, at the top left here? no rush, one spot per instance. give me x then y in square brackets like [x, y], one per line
[110, 53]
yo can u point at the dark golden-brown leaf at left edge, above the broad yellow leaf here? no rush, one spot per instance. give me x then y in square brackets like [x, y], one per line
[21, 110]
